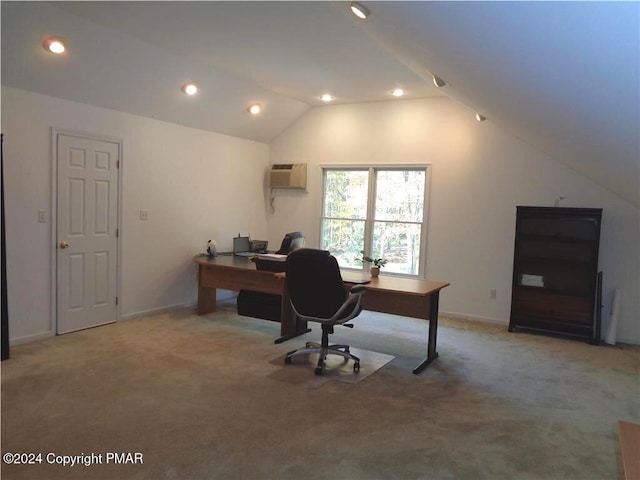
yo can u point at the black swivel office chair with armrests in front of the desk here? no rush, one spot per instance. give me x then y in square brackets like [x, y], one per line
[318, 294]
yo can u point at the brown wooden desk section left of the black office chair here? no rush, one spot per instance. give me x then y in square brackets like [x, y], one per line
[240, 273]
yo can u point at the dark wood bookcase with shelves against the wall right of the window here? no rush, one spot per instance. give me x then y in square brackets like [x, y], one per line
[556, 285]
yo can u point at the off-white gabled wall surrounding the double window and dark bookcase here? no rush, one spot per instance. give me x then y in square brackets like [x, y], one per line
[480, 174]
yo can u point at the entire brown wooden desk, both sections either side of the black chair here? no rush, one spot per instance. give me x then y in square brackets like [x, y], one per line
[407, 297]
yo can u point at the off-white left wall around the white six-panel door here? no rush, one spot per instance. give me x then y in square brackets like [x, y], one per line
[196, 186]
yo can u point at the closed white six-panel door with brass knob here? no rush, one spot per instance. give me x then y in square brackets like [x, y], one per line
[87, 222]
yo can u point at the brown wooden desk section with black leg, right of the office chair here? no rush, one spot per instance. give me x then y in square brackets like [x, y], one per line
[407, 297]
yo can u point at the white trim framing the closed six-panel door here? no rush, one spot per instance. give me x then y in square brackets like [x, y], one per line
[53, 324]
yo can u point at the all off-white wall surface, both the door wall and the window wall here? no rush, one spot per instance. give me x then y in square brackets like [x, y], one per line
[189, 181]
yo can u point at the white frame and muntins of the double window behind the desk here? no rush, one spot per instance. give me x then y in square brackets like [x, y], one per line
[370, 220]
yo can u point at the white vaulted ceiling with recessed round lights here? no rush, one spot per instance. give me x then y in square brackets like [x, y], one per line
[562, 76]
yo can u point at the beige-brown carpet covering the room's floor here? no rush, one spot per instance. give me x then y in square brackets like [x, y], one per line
[205, 398]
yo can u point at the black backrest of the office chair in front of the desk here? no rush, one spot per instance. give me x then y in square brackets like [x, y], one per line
[314, 282]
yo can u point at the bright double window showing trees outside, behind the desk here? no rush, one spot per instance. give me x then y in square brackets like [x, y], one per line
[381, 210]
